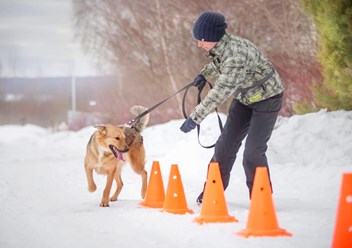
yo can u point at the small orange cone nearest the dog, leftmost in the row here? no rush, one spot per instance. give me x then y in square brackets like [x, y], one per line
[155, 196]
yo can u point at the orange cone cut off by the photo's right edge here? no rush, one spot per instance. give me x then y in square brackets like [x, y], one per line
[343, 227]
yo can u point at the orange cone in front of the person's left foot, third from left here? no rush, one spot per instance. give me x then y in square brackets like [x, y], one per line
[214, 208]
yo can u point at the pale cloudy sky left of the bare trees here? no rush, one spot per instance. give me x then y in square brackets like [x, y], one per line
[37, 39]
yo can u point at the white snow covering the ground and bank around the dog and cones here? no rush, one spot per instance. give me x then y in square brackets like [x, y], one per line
[44, 200]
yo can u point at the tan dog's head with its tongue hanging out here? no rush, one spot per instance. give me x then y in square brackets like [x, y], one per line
[112, 137]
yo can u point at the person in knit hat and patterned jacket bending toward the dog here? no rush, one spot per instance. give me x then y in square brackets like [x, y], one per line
[244, 73]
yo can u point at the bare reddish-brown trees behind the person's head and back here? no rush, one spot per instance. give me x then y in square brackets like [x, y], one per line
[150, 44]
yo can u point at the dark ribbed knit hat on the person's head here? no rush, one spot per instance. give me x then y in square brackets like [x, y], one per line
[210, 26]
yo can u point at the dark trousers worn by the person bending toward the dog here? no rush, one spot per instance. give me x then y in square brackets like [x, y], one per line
[256, 122]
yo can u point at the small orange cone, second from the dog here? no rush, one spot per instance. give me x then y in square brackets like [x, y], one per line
[175, 200]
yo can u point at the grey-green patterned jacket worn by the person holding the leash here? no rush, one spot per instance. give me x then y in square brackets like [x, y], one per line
[238, 64]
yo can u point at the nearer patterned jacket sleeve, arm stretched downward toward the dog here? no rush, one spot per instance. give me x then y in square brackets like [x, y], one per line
[231, 76]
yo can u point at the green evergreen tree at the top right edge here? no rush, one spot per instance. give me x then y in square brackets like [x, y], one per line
[333, 21]
